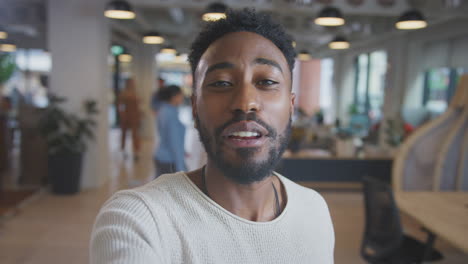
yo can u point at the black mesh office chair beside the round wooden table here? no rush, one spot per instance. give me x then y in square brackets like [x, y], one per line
[384, 240]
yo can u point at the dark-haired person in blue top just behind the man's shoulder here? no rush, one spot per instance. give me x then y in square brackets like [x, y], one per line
[170, 154]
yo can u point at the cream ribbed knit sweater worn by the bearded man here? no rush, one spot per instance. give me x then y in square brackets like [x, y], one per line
[170, 220]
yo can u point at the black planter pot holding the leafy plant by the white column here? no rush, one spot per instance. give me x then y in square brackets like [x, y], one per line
[65, 172]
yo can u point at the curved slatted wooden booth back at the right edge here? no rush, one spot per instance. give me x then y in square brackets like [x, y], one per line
[419, 165]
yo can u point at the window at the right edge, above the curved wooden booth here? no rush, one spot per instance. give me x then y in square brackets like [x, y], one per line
[439, 86]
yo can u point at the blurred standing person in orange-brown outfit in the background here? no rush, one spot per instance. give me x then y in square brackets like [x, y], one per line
[130, 116]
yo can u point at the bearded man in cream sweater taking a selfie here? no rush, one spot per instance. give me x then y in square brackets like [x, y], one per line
[235, 209]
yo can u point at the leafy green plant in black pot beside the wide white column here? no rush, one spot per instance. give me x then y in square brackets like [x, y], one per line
[66, 135]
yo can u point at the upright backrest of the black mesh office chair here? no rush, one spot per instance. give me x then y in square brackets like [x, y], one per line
[383, 234]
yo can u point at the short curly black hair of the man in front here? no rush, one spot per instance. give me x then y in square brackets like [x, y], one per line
[242, 20]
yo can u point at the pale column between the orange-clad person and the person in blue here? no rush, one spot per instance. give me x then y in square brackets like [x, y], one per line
[144, 70]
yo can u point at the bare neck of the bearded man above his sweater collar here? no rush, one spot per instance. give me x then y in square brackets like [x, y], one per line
[255, 201]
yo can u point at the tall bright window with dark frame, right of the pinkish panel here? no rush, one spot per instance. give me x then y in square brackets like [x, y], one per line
[370, 69]
